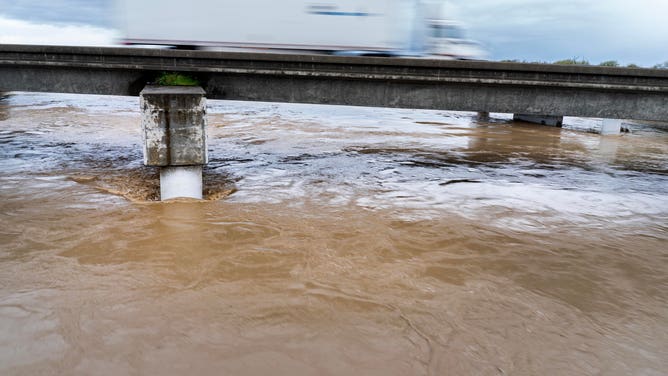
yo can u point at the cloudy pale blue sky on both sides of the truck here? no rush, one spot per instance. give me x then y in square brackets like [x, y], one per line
[629, 31]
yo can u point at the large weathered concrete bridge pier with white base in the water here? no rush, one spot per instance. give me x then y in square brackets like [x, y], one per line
[174, 137]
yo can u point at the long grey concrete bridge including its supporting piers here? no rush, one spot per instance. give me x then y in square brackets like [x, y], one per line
[175, 138]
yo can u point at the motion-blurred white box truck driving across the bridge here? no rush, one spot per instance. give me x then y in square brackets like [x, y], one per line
[344, 27]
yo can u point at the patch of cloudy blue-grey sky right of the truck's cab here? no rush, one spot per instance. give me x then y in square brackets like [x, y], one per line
[548, 30]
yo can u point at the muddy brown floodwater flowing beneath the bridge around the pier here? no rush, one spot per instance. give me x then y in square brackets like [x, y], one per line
[332, 240]
